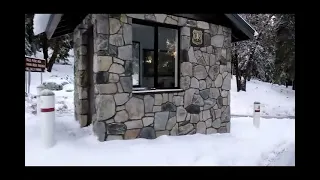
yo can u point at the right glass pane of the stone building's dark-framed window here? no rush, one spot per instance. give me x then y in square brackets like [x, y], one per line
[167, 57]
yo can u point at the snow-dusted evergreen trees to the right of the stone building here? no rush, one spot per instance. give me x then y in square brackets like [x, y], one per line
[270, 55]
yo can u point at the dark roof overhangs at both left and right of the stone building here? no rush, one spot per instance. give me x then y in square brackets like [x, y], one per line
[60, 24]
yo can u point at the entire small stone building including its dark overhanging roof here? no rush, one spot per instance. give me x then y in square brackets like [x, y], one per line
[147, 75]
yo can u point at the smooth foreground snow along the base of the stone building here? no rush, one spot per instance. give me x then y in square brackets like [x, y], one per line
[244, 146]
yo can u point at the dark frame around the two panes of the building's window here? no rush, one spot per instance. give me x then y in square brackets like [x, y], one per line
[155, 26]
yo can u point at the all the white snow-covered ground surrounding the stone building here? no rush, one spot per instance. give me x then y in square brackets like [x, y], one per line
[272, 144]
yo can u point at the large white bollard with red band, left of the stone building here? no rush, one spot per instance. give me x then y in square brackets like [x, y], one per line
[47, 117]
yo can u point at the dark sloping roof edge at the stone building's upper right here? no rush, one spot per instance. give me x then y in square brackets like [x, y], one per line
[244, 26]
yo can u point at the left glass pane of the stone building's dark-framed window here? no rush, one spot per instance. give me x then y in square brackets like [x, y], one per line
[143, 39]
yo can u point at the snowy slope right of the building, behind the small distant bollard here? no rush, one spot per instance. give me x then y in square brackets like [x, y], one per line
[275, 100]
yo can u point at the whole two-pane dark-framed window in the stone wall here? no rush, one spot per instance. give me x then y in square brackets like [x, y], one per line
[155, 55]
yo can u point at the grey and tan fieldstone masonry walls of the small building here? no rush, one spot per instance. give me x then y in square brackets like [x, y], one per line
[202, 107]
